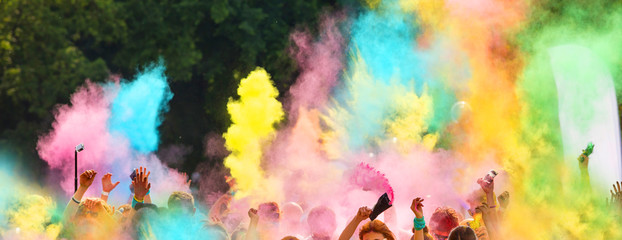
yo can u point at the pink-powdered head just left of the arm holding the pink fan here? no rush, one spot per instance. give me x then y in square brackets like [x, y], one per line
[322, 222]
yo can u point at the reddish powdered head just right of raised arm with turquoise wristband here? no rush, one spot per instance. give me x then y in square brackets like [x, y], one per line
[443, 220]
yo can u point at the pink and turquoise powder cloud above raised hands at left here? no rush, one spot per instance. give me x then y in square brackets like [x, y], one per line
[117, 122]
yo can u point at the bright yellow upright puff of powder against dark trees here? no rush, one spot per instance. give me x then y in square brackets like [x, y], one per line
[253, 117]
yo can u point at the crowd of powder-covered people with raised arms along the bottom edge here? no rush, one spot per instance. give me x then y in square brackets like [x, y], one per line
[92, 218]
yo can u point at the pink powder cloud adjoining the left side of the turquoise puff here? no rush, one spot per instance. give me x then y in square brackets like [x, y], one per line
[84, 121]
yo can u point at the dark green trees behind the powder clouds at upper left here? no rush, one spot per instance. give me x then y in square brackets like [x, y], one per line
[48, 48]
